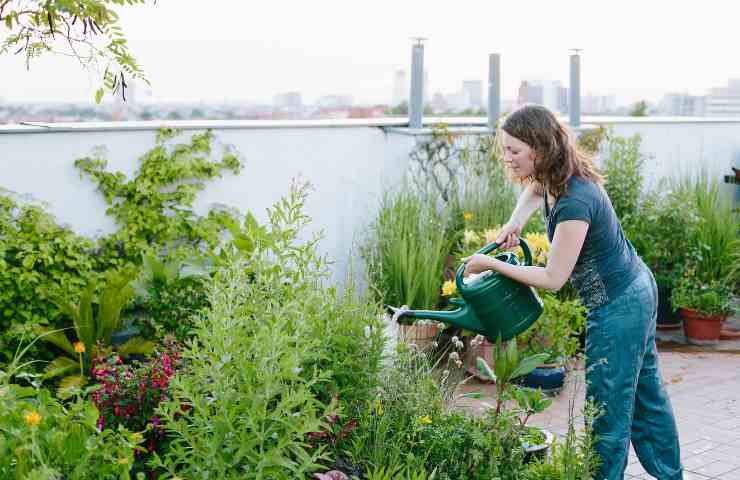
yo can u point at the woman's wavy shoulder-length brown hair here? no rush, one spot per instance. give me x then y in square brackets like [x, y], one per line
[557, 156]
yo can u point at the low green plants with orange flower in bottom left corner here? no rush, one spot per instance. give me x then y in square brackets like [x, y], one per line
[41, 437]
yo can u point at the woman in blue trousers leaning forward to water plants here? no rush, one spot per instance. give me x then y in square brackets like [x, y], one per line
[588, 247]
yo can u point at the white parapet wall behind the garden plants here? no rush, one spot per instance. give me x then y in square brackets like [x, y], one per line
[348, 163]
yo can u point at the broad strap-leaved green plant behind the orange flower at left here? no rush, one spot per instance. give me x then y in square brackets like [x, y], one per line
[93, 328]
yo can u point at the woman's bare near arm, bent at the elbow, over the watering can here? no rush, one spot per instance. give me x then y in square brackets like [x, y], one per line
[566, 246]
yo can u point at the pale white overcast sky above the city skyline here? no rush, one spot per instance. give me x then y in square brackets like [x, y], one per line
[232, 50]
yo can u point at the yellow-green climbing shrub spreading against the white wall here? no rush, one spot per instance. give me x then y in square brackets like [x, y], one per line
[154, 210]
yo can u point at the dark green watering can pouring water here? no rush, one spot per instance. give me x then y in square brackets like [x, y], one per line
[491, 305]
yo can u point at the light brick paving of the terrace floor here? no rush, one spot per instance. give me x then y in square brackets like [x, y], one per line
[704, 387]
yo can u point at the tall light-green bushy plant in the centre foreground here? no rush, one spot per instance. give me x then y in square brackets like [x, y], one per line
[253, 375]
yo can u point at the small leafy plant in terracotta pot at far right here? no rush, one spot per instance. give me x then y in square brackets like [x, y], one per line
[703, 306]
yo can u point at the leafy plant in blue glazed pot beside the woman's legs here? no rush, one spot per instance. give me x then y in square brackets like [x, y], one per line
[555, 334]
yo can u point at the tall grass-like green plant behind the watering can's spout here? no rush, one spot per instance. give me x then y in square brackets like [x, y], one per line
[405, 255]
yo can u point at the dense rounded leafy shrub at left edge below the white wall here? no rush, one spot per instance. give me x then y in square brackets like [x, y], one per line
[38, 260]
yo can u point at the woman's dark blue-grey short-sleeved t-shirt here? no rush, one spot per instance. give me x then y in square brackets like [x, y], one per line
[608, 262]
